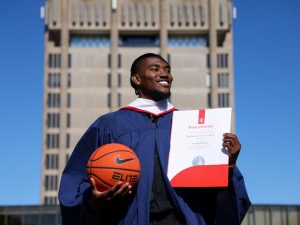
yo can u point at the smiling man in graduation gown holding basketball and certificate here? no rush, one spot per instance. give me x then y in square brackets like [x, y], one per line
[144, 126]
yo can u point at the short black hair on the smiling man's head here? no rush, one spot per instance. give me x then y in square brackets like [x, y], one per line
[135, 67]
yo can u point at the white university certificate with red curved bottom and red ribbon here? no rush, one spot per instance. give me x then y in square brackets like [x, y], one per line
[197, 158]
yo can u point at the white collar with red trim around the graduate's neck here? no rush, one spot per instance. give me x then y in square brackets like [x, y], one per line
[152, 107]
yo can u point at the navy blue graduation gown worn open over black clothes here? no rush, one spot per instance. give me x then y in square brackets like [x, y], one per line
[199, 206]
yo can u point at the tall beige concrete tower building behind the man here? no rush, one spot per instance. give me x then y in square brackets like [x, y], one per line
[89, 48]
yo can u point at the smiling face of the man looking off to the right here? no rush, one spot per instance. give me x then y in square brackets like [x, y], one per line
[154, 79]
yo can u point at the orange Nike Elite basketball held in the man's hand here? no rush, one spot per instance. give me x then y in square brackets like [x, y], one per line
[112, 163]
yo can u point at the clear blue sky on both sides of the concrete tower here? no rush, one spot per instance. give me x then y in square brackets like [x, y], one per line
[267, 93]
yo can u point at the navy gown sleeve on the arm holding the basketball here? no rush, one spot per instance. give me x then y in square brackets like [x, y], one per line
[74, 186]
